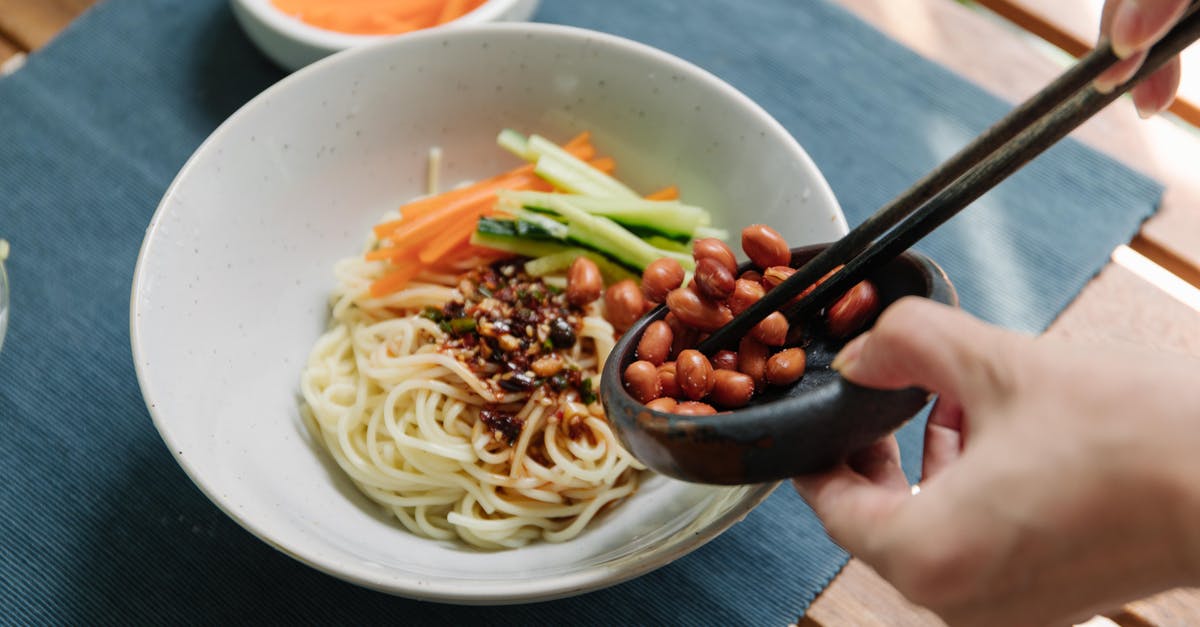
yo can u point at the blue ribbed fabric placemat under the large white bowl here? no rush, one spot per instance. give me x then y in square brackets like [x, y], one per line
[98, 523]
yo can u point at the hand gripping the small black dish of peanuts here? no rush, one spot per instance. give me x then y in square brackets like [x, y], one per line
[1059, 482]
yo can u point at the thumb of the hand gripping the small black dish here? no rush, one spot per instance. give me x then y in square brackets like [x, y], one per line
[919, 343]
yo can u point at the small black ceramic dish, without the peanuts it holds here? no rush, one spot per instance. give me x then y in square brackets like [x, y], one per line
[785, 432]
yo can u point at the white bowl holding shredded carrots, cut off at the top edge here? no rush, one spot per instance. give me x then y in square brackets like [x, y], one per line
[293, 44]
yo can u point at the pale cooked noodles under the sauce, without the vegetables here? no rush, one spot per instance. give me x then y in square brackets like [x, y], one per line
[401, 415]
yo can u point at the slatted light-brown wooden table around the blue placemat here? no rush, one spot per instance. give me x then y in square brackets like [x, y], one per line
[1148, 295]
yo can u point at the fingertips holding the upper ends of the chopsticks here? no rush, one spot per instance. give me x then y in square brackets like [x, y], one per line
[1133, 27]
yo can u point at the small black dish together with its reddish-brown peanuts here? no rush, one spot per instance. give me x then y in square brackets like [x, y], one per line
[773, 409]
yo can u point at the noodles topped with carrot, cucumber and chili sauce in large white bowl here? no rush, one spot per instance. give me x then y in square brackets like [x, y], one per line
[457, 384]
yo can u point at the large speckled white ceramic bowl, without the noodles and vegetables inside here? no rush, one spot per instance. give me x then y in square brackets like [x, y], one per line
[232, 284]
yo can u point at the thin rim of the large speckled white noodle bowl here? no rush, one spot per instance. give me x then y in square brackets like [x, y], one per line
[556, 586]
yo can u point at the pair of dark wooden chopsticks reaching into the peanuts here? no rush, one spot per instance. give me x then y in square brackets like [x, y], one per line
[1015, 141]
